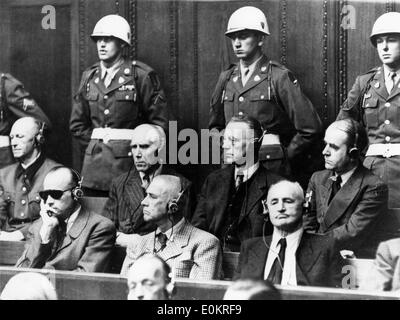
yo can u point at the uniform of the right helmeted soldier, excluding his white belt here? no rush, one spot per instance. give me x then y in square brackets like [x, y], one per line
[369, 102]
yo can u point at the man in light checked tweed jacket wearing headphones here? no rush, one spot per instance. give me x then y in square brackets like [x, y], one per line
[189, 251]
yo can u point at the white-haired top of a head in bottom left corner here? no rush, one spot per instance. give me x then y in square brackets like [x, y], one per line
[29, 286]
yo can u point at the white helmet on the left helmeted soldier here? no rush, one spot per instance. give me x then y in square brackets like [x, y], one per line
[113, 25]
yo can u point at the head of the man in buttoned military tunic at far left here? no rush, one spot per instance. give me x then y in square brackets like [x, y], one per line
[24, 145]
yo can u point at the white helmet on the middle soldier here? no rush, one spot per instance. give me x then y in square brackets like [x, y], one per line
[247, 18]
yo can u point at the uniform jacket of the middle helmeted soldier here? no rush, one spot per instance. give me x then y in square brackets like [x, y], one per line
[273, 96]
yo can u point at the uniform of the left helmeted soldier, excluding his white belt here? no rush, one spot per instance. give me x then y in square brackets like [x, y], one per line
[134, 97]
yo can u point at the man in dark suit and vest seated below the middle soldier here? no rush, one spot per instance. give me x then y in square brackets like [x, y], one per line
[230, 201]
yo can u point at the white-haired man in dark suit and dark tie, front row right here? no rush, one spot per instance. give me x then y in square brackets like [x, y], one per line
[291, 256]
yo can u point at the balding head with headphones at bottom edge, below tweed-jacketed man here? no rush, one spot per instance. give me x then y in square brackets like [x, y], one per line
[149, 278]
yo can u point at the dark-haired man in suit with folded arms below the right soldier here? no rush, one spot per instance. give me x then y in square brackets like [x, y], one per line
[347, 201]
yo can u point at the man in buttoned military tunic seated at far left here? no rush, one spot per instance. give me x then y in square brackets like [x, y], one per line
[20, 182]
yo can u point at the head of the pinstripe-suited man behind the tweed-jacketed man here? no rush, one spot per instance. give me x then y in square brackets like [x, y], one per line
[147, 145]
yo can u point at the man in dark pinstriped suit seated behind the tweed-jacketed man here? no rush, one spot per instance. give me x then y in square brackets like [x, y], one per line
[129, 189]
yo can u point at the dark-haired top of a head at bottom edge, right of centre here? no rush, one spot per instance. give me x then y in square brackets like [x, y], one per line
[252, 289]
